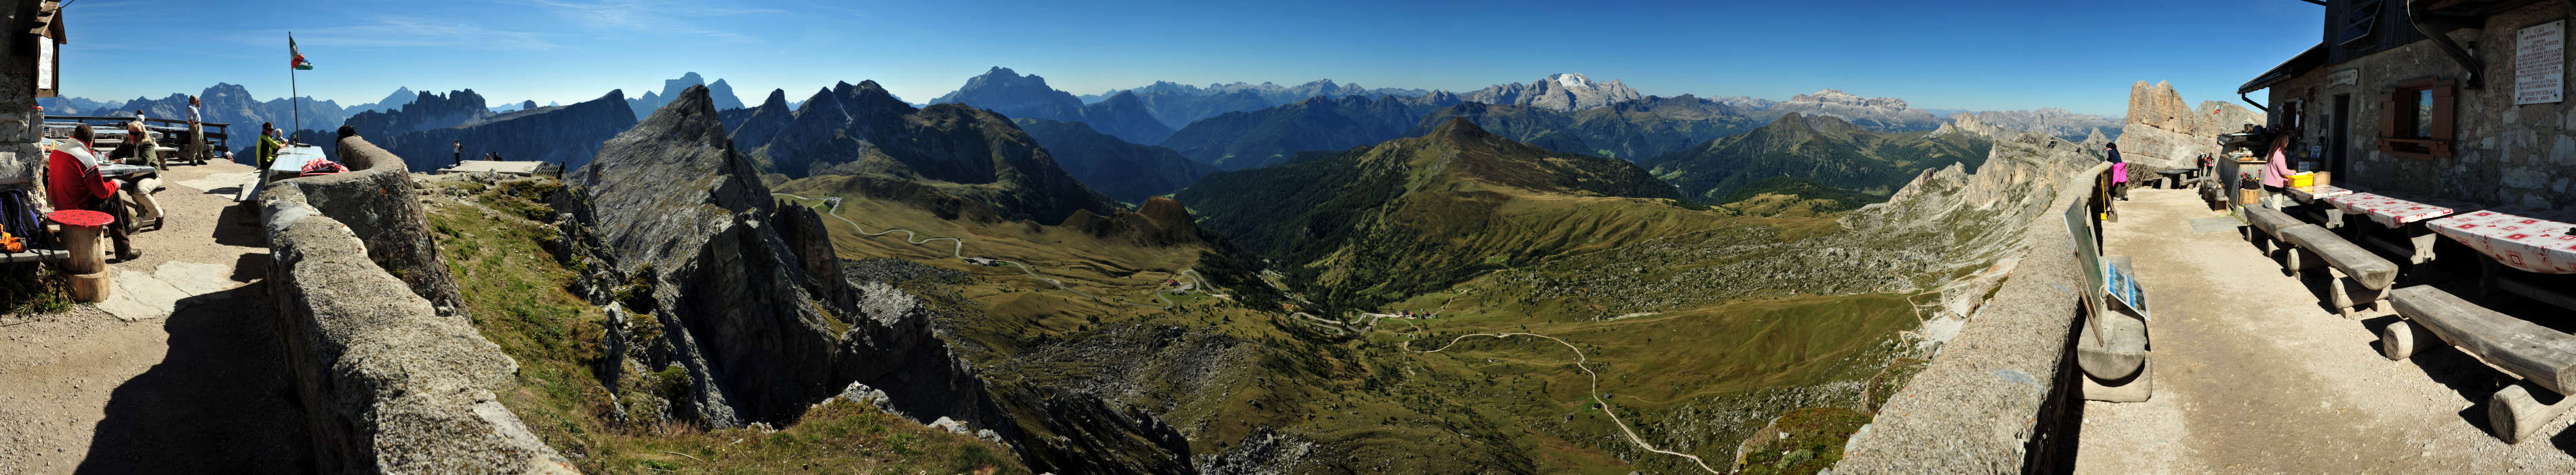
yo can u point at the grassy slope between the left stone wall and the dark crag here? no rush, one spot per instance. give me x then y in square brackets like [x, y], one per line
[519, 301]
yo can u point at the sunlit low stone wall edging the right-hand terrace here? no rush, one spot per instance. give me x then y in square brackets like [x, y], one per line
[2000, 396]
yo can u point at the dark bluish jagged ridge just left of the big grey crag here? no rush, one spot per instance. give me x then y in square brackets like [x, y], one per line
[565, 136]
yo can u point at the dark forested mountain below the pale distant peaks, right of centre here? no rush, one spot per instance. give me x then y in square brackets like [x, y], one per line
[1823, 151]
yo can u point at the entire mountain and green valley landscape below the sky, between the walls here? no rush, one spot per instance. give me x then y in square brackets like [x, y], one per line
[1233, 278]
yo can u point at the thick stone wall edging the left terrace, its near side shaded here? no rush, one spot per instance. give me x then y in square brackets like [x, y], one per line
[385, 381]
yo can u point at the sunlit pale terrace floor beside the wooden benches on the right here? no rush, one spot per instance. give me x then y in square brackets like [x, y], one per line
[2255, 376]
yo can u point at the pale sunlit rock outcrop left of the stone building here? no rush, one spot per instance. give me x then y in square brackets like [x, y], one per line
[2165, 133]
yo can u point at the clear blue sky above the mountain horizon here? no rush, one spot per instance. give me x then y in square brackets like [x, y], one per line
[2075, 56]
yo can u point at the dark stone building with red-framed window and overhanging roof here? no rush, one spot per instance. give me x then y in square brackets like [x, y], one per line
[2436, 99]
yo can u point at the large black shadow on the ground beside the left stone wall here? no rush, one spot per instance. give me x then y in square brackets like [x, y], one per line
[220, 401]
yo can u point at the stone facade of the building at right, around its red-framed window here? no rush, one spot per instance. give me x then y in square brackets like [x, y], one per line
[2505, 154]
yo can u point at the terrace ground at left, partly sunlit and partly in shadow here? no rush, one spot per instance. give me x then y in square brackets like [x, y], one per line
[200, 391]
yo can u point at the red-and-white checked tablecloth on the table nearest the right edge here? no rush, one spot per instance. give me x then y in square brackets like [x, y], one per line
[2515, 241]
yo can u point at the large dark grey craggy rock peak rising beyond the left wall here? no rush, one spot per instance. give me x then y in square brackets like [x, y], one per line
[748, 298]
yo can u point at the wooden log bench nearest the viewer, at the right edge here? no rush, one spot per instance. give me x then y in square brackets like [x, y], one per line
[2536, 355]
